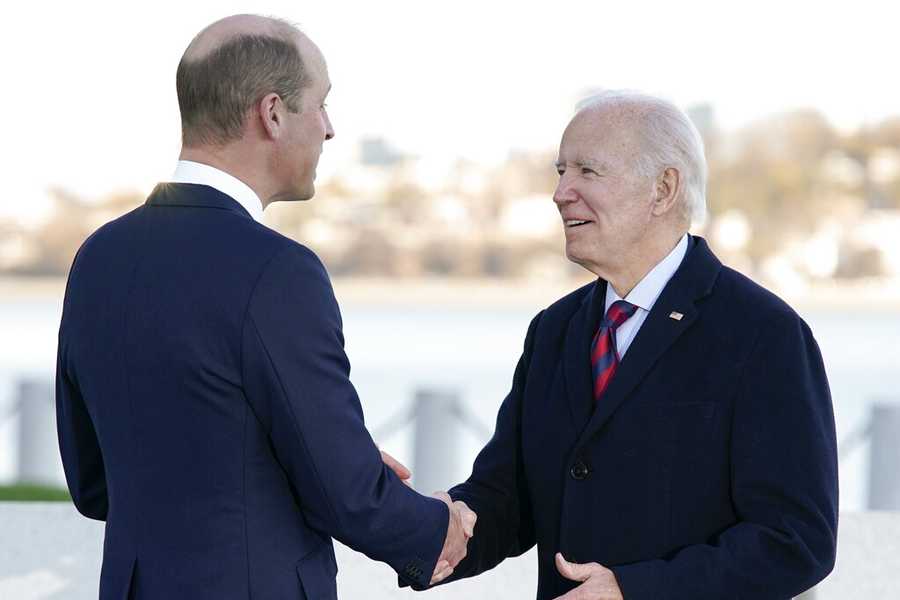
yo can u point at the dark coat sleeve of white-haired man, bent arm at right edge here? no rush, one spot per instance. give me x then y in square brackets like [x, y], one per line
[784, 485]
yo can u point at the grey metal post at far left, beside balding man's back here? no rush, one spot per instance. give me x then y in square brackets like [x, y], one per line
[39, 461]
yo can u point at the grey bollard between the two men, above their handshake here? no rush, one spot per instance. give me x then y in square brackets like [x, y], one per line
[436, 439]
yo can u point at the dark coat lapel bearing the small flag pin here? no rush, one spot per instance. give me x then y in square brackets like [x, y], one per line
[693, 280]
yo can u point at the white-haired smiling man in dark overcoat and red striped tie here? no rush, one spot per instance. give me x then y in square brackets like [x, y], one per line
[669, 432]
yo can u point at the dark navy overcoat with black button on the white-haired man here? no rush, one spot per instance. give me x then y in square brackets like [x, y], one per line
[708, 470]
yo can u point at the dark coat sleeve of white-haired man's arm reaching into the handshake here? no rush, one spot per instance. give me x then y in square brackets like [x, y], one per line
[497, 490]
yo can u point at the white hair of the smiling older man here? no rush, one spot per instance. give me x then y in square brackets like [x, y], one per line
[669, 139]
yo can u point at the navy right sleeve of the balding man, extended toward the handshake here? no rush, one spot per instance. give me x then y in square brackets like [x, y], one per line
[296, 377]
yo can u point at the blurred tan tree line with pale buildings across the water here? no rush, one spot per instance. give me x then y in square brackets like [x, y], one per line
[785, 175]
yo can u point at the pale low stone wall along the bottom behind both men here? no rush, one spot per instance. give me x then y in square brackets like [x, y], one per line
[49, 552]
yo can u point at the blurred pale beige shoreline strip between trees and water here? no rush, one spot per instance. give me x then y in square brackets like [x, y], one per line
[880, 295]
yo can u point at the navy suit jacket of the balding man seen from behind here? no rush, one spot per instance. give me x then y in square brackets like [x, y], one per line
[205, 413]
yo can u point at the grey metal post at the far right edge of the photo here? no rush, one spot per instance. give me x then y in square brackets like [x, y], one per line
[884, 457]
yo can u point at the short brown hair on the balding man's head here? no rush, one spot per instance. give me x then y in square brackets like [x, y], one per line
[216, 90]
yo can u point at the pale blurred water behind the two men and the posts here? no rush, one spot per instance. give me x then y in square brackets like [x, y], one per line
[398, 349]
